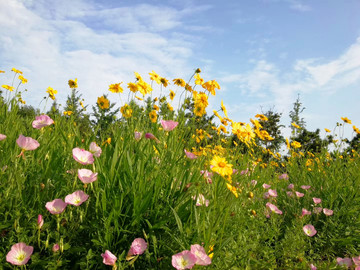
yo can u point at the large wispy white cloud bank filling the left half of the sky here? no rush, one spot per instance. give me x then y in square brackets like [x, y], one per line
[55, 43]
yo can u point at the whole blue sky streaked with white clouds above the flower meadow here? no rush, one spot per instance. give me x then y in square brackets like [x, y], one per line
[263, 53]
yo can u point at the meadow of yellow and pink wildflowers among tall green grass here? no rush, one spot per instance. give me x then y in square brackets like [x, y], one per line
[159, 181]
